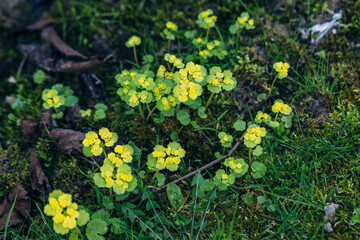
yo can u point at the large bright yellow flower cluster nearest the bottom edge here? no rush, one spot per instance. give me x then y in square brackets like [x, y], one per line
[64, 212]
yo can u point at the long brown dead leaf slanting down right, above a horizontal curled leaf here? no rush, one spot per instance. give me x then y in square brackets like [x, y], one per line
[49, 34]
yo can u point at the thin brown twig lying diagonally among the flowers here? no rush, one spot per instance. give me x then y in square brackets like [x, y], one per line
[193, 173]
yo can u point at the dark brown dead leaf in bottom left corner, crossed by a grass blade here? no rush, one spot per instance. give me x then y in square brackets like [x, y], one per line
[21, 209]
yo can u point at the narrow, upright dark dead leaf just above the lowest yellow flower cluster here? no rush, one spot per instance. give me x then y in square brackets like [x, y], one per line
[38, 179]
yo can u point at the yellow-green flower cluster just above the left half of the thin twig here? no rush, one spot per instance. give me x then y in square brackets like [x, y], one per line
[168, 158]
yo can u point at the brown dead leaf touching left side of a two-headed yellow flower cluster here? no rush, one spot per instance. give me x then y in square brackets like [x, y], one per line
[68, 140]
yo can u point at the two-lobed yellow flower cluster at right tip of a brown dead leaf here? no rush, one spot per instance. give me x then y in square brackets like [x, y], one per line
[93, 144]
